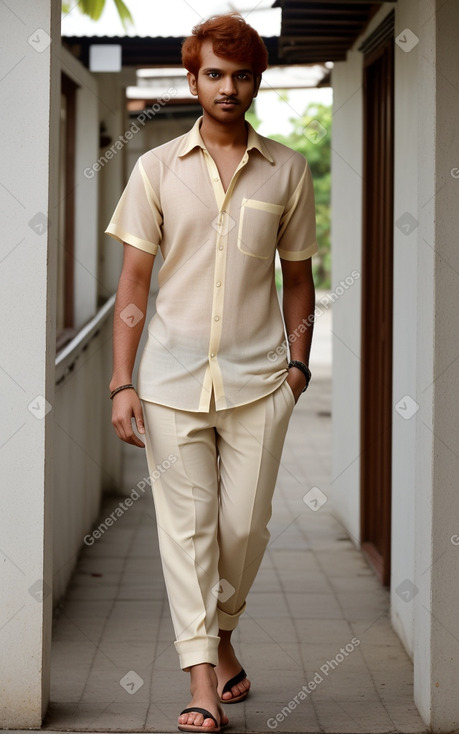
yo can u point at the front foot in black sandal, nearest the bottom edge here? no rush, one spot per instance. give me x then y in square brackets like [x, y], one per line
[203, 688]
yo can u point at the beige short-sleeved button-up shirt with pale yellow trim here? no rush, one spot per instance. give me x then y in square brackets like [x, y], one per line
[217, 314]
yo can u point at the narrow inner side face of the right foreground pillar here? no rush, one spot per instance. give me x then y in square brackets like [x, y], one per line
[425, 368]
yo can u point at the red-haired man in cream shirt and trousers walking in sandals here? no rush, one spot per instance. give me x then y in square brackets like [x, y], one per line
[218, 202]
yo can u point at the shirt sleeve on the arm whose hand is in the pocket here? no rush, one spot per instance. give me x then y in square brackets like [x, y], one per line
[297, 228]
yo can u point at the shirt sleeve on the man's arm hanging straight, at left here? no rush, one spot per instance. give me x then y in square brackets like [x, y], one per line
[137, 218]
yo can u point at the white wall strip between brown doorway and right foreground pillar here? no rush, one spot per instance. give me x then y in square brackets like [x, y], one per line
[404, 320]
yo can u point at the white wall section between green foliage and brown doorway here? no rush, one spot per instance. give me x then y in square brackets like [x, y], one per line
[346, 256]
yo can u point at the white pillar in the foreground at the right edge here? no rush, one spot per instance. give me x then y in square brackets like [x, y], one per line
[436, 624]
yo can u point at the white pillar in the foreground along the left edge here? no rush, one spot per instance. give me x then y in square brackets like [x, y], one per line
[29, 87]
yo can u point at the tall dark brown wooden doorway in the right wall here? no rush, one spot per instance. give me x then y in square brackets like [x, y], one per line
[377, 291]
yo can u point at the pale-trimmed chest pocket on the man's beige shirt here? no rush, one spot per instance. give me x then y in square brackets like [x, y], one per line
[258, 227]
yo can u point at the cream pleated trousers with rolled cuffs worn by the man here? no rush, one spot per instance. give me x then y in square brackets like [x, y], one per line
[212, 505]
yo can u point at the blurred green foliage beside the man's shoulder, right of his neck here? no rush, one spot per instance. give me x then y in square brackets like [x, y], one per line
[311, 136]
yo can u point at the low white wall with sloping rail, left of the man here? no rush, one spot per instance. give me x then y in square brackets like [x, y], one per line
[87, 455]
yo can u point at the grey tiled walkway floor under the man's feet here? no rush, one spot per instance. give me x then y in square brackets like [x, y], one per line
[316, 639]
